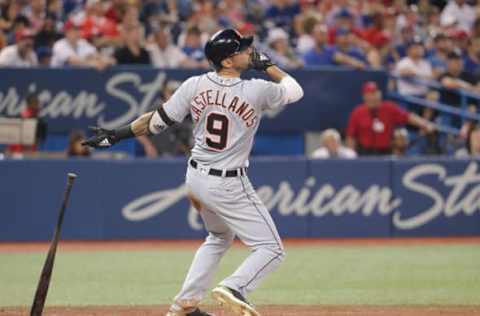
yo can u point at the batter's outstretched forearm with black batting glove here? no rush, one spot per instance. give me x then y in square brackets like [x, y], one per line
[149, 123]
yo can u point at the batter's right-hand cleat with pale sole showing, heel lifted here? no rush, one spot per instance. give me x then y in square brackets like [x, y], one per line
[234, 301]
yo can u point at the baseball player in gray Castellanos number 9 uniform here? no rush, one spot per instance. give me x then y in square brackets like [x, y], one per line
[226, 112]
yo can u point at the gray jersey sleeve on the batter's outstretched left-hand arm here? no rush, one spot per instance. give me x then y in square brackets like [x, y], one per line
[178, 106]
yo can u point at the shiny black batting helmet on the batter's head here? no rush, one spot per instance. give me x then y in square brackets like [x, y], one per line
[224, 44]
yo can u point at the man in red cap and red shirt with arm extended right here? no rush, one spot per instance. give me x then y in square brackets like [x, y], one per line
[371, 124]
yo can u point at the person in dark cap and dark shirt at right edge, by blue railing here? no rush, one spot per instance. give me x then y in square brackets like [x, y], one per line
[456, 78]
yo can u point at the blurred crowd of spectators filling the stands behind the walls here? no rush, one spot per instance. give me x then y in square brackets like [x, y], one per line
[436, 41]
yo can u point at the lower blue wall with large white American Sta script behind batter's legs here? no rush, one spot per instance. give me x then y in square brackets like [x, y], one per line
[144, 199]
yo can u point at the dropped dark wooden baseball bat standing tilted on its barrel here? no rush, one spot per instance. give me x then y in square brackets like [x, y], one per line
[44, 282]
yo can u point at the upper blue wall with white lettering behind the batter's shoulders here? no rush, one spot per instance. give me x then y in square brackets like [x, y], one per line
[76, 98]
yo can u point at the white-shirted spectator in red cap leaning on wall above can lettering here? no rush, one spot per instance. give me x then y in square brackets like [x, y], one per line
[75, 51]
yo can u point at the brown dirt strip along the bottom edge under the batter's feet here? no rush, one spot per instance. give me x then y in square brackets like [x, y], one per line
[277, 310]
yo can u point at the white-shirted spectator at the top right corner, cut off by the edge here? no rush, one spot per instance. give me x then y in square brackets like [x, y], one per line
[458, 12]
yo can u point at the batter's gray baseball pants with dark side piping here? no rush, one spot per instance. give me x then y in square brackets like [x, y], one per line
[230, 207]
